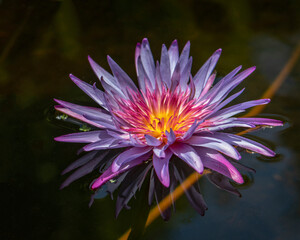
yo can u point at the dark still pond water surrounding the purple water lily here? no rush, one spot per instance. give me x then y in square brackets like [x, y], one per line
[43, 41]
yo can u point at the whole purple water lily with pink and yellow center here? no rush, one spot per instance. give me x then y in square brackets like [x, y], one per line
[172, 113]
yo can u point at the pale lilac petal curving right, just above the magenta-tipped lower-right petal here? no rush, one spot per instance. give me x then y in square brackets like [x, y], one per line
[215, 144]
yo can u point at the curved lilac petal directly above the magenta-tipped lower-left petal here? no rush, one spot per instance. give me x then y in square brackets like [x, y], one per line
[129, 155]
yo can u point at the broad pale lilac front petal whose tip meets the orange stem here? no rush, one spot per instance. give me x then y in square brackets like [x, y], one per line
[188, 154]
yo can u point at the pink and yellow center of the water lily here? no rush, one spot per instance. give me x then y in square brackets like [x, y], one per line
[154, 113]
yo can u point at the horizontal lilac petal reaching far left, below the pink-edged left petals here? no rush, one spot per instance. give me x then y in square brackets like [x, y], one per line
[83, 137]
